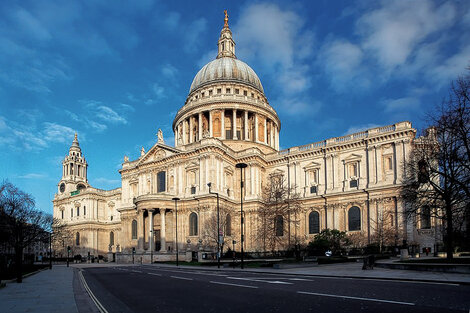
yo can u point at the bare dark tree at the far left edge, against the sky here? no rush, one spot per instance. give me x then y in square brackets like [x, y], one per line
[21, 221]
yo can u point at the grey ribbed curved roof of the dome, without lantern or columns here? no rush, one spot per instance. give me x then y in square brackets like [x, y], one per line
[226, 69]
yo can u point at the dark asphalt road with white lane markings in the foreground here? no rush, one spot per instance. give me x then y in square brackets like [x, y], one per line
[154, 289]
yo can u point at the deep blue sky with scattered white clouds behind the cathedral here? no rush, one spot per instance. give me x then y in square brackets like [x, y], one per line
[116, 71]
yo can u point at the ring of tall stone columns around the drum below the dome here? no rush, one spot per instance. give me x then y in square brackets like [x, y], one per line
[242, 125]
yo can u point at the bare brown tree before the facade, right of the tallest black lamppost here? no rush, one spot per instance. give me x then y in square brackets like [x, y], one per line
[280, 210]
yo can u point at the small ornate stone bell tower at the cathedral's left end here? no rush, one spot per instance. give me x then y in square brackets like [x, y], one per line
[74, 170]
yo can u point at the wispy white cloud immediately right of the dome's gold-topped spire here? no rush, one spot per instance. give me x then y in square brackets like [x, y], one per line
[280, 44]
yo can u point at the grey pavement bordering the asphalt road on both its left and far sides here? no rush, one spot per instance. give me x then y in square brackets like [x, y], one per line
[60, 290]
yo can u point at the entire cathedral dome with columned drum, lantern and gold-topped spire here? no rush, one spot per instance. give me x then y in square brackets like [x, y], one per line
[226, 101]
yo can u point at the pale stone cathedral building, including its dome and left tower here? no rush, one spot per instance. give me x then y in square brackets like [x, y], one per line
[227, 120]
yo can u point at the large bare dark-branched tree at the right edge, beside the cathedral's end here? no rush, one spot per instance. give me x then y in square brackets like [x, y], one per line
[437, 174]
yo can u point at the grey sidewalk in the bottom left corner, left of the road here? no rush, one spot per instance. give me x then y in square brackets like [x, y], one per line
[46, 291]
